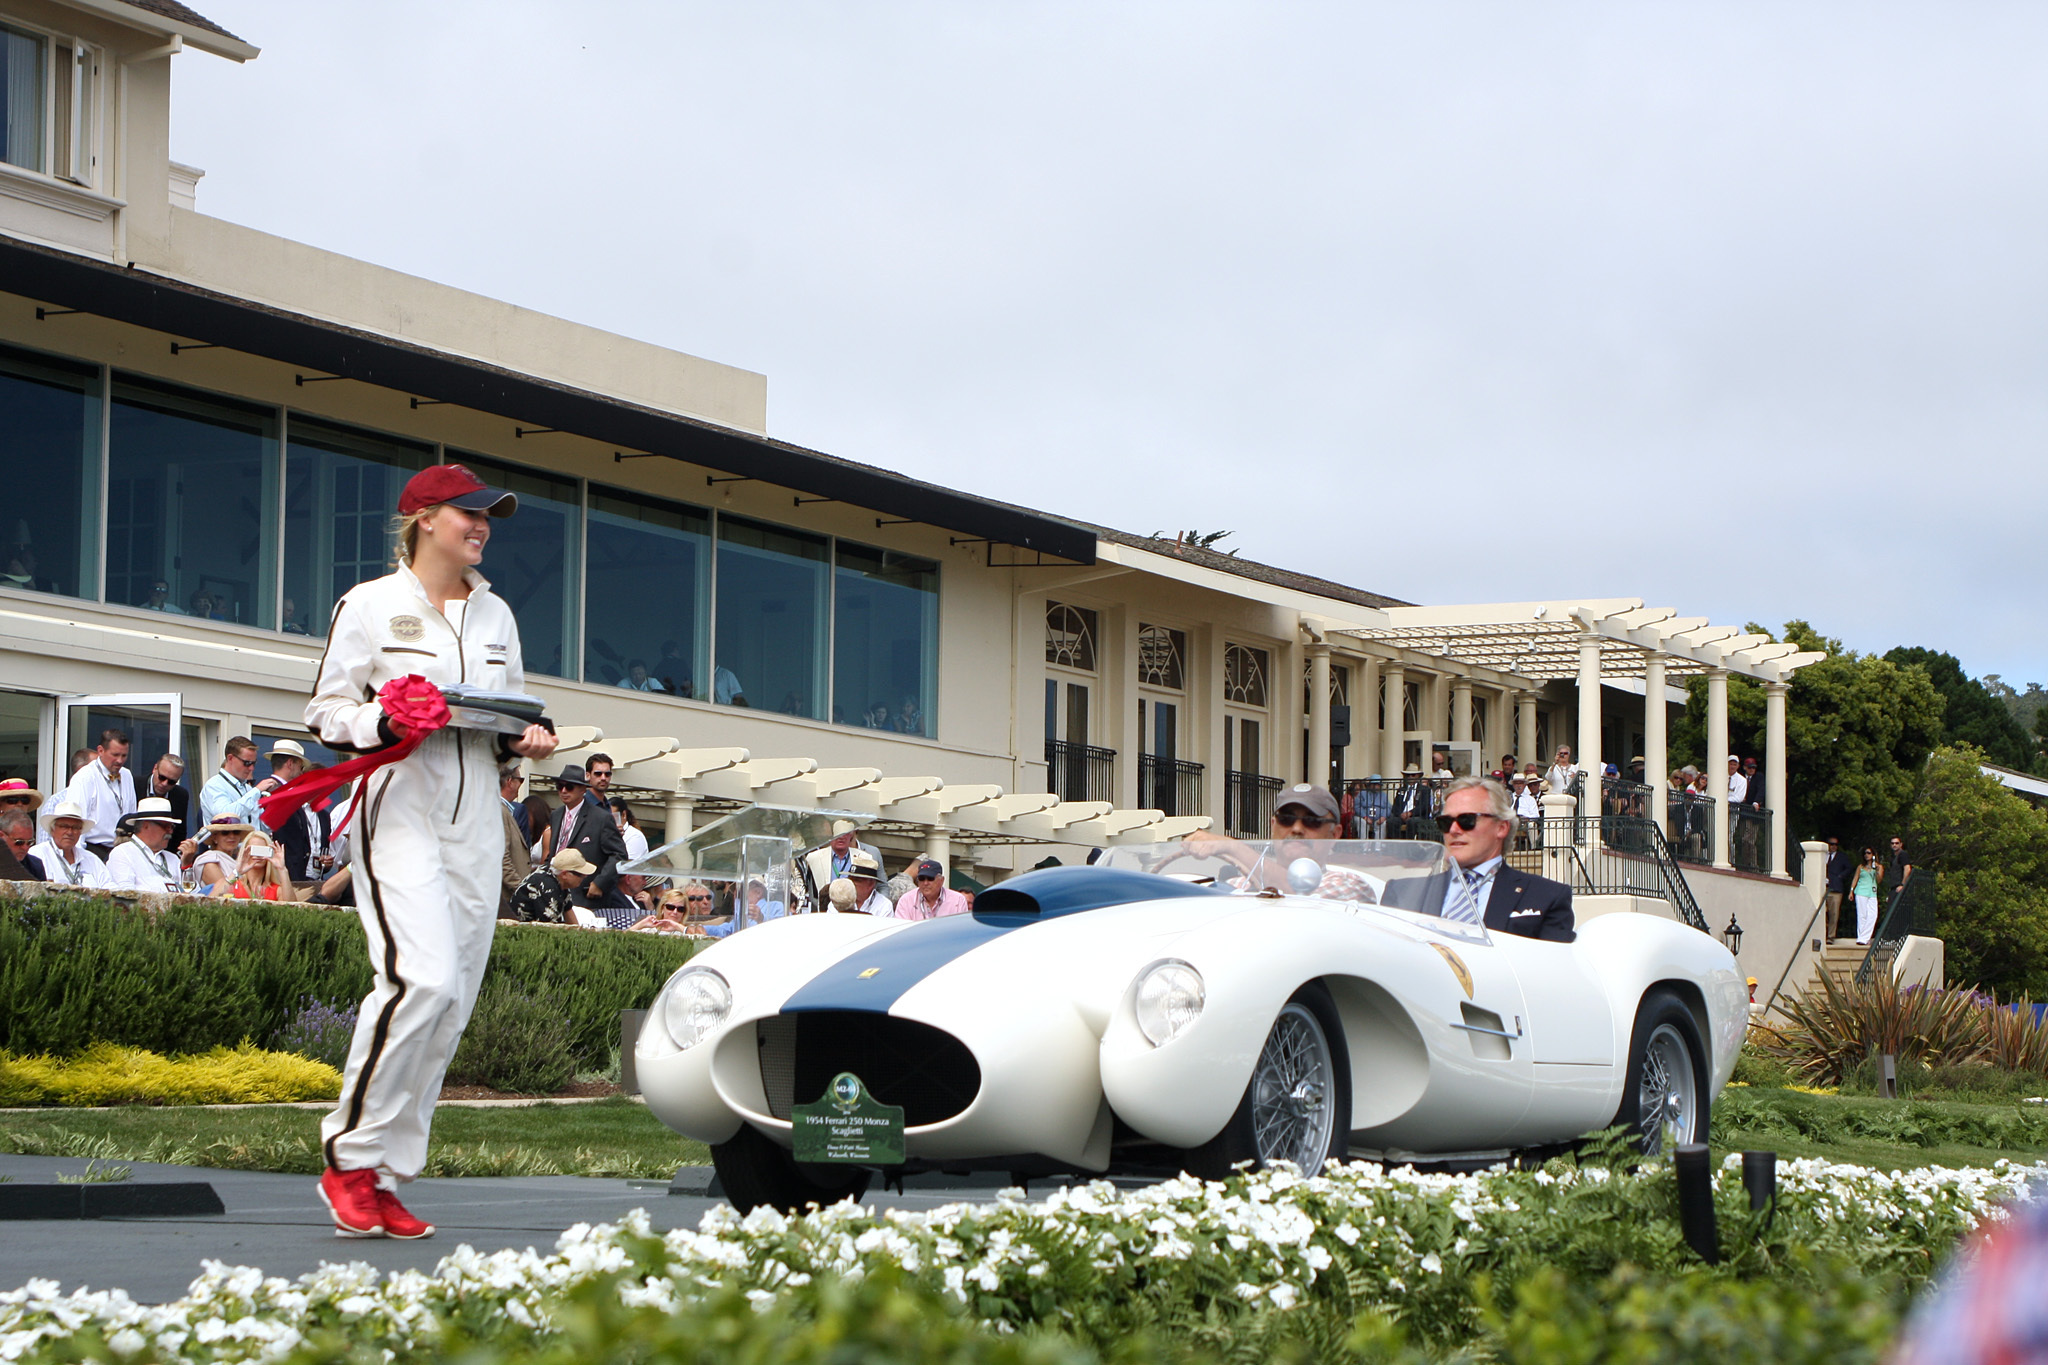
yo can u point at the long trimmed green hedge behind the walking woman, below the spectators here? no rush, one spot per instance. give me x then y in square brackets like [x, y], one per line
[79, 971]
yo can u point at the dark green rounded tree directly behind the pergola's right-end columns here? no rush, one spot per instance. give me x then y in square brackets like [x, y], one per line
[1859, 730]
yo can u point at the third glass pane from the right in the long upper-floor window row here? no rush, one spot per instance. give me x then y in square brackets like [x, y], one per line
[648, 595]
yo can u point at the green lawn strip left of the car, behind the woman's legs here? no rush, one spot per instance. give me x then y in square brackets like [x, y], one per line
[611, 1137]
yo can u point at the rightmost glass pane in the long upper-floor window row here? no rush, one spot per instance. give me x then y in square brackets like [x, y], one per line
[886, 640]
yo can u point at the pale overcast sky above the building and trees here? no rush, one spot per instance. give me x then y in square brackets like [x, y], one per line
[1740, 310]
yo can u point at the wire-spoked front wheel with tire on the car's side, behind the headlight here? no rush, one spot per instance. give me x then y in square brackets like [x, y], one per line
[1299, 1100]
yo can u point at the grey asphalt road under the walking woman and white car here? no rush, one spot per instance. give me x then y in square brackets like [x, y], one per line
[278, 1225]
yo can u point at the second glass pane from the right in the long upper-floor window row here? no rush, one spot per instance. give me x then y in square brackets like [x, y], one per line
[771, 619]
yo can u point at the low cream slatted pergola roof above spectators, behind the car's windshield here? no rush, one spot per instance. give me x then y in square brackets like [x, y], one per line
[982, 816]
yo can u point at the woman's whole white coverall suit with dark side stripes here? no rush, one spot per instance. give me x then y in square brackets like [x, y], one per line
[427, 854]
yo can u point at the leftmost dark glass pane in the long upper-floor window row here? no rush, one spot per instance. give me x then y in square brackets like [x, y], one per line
[50, 439]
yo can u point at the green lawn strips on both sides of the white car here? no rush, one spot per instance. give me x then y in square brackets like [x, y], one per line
[620, 1139]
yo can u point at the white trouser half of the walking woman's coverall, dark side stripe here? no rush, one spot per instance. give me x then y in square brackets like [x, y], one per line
[427, 865]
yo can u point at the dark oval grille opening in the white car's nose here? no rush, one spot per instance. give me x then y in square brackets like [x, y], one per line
[904, 1063]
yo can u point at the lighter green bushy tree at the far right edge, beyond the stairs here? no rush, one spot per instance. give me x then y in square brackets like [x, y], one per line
[1988, 852]
